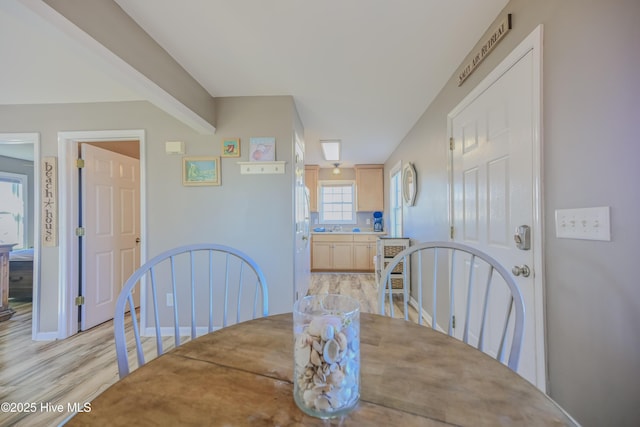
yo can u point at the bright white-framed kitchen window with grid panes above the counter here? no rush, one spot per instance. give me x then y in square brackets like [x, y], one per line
[337, 202]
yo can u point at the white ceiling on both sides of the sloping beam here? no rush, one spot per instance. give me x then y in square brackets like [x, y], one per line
[362, 71]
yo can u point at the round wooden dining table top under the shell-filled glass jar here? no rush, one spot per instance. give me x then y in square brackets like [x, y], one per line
[241, 375]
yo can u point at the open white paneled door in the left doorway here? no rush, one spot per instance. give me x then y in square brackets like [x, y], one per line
[110, 212]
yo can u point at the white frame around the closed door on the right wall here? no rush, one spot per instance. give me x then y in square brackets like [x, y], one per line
[532, 43]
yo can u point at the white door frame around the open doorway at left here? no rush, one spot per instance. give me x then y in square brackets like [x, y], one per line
[68, 277]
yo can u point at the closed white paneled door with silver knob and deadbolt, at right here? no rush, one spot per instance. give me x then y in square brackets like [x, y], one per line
[495, 190]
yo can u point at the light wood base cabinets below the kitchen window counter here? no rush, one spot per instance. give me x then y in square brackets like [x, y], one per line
[343, 252]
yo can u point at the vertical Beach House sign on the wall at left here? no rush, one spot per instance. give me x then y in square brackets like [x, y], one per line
[49, 201]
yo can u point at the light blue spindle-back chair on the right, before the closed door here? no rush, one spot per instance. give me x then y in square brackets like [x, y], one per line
[460, 291]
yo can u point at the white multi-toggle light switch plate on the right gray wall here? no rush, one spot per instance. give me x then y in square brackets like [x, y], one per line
[584, 223]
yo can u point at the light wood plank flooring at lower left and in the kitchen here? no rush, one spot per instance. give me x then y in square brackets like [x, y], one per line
[77, 369]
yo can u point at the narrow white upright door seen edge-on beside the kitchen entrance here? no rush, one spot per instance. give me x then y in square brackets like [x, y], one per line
[302, 256]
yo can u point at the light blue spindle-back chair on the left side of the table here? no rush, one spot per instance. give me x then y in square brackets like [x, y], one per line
[186, 291]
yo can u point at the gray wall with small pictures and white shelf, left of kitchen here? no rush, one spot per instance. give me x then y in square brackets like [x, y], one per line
[250, 212]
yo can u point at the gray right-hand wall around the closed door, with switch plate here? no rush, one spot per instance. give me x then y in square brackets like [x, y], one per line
[591, 111]
